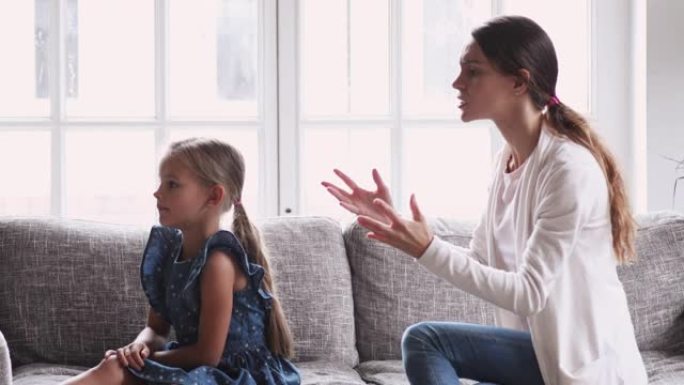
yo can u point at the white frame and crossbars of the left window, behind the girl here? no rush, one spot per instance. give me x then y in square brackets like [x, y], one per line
[58, 123]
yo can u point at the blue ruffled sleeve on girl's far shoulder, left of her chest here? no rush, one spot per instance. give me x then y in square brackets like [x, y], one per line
[163, 246]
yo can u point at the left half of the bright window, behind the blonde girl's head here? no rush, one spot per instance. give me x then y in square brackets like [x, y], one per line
[94, 90]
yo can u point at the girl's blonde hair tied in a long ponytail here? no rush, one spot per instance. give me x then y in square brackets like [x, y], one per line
[219, 163]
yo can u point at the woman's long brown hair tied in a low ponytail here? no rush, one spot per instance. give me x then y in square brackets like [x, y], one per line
[514, 43]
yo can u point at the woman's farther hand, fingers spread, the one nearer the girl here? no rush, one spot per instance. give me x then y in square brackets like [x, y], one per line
[360, 201]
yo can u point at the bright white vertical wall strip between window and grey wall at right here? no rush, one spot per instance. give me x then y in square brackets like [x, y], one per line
[619, 81]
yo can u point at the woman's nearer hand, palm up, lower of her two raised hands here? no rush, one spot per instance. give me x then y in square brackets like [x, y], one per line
[412, 237]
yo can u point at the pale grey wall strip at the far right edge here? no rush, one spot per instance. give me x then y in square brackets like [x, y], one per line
[665, 102]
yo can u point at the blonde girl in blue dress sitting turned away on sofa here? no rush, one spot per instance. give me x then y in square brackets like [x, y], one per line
[212, 286]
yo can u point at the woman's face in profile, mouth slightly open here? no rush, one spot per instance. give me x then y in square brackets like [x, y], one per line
[484, 92]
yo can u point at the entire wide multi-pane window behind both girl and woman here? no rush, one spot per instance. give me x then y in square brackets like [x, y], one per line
[93, 91]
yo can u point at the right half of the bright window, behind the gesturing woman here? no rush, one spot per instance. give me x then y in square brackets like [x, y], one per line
[375, 91]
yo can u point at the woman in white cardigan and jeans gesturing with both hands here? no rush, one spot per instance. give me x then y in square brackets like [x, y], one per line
[546, 249]
